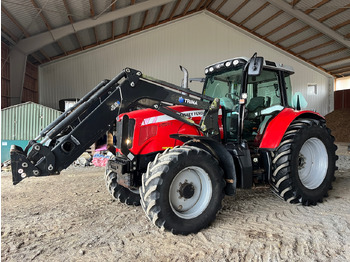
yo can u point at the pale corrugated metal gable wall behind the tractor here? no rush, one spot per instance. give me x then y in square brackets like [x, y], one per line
[193, 42]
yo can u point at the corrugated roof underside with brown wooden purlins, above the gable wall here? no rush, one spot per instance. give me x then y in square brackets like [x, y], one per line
[264, 18]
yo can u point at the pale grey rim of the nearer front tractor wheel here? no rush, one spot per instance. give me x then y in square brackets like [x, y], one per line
[190, 192]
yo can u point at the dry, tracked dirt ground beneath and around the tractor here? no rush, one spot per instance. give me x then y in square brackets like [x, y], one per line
[71, 217]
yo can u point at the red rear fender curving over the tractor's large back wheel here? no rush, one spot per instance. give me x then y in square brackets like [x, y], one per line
[279, 124]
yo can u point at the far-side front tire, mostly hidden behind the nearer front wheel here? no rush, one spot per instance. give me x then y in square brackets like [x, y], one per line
[120, 193]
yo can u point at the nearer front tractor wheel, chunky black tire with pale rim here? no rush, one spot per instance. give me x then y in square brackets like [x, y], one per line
[178, 175]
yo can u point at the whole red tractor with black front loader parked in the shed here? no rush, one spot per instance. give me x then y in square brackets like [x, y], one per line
[179, 152]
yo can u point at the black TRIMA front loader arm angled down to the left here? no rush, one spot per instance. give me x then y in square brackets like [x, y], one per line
[66, 138]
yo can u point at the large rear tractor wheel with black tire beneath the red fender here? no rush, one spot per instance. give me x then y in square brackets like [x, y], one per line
[304, 162]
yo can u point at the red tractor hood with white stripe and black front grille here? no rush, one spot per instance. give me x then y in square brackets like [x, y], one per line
[149, 131]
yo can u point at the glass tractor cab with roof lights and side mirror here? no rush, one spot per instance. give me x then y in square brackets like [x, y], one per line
[248, 99]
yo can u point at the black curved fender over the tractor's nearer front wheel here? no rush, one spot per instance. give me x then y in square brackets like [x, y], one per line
[217, 150]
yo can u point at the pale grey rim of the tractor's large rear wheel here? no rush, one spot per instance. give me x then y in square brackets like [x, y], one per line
[312, 163]
